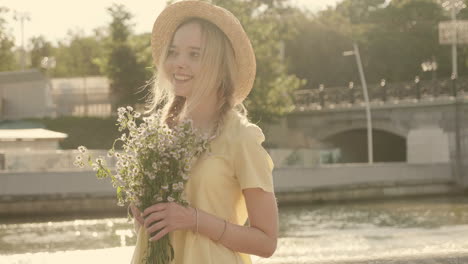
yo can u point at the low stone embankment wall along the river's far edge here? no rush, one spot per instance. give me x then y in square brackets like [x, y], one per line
[80, 190]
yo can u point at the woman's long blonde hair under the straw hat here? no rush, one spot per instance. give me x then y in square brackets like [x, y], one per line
[218, 74]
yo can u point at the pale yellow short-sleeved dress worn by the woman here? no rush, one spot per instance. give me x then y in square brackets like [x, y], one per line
[237, 161]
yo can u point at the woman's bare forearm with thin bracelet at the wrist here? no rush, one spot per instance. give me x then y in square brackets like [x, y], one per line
[244, 239]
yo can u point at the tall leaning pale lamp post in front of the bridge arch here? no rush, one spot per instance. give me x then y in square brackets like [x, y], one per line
[355, 52]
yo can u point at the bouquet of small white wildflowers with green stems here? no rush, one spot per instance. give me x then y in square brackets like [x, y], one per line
[153, 167]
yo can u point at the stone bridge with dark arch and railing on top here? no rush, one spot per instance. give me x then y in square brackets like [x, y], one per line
[413, 123]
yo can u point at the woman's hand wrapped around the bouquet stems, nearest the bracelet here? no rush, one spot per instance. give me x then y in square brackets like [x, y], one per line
[167, 217]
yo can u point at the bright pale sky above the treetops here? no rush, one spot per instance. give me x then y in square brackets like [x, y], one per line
[53, 18]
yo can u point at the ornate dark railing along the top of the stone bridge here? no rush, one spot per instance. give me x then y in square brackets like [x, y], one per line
[416, 91]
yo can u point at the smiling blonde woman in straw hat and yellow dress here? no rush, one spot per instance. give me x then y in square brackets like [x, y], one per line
[206, 69]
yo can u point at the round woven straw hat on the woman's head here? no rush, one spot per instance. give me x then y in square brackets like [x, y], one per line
[173, 15]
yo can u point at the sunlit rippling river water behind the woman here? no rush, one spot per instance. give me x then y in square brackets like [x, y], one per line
[359, 231]
